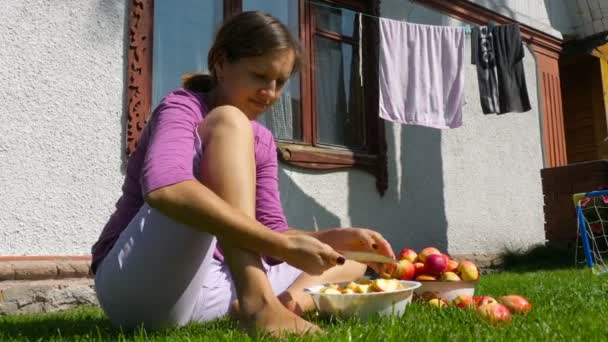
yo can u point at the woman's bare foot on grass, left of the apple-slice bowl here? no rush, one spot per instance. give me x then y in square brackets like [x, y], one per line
[272, 318]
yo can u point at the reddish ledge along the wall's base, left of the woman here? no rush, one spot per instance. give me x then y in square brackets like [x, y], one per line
[41, 267]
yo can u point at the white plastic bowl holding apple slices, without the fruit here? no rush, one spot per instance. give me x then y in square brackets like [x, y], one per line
[363, 305]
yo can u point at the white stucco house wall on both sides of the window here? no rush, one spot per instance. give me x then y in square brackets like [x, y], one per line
[475, 189]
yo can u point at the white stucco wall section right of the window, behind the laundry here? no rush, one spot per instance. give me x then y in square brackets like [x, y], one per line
[475, 189]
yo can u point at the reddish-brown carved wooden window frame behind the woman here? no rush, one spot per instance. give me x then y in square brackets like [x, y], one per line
[306, 154]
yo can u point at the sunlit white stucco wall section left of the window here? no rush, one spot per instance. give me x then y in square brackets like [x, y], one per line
[62, 69]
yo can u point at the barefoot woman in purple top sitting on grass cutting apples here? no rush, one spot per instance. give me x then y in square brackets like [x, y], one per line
[200, 194]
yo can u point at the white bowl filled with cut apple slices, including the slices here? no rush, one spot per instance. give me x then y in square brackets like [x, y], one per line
[363, 298]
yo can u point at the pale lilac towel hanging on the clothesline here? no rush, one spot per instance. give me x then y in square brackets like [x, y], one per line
[421, 74]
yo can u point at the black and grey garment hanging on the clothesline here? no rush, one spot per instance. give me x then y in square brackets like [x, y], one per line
[498, 53]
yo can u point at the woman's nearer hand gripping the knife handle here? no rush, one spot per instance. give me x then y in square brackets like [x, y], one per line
[310, 255]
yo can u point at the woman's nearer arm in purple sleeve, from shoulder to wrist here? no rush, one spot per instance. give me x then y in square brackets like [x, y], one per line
[169, 184]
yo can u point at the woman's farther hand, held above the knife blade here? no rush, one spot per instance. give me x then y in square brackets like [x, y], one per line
[357, 239]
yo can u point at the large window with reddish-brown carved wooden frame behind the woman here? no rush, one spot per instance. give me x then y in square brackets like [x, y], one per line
[327, 117]
